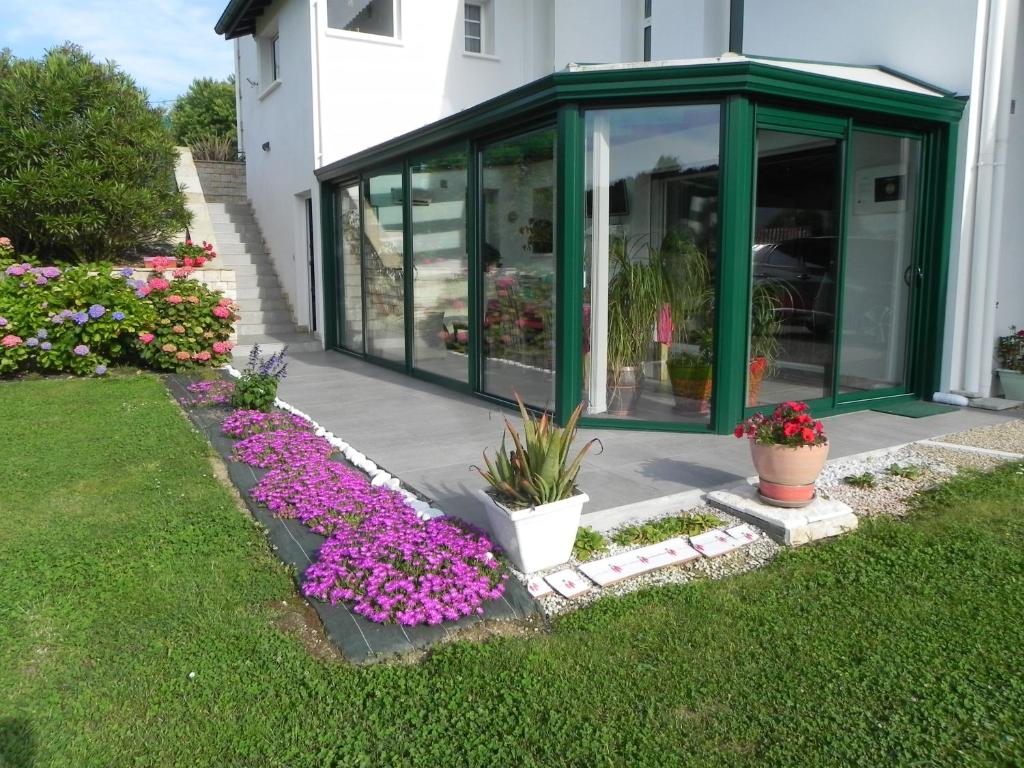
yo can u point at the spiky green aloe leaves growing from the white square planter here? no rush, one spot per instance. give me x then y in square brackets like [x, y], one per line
[539, 471]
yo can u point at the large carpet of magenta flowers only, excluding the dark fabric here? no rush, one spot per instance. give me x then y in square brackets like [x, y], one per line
[379, 556]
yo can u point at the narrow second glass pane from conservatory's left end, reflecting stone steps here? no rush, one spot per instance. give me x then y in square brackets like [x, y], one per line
[383, 266]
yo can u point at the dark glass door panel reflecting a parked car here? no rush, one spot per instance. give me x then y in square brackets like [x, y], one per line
[795, 258]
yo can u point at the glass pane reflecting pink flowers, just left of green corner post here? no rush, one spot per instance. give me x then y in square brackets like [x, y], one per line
[519, 264]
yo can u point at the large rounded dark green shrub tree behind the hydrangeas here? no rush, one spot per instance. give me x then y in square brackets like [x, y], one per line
[87, 168]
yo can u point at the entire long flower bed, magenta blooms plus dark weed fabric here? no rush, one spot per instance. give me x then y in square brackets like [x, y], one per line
[381, 579]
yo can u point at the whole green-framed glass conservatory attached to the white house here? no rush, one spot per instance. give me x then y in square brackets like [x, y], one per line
[671, 245]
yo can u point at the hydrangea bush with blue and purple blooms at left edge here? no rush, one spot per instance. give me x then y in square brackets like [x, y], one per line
[79, 320]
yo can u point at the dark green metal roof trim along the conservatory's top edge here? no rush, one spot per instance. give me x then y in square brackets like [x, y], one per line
[696, 81]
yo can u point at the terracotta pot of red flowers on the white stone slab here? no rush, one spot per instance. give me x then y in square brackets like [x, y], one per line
[789, 450]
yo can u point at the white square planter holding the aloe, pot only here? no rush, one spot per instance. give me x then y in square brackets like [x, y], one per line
[536, 538]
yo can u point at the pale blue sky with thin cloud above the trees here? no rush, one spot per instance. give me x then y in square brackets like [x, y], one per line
[163, 45]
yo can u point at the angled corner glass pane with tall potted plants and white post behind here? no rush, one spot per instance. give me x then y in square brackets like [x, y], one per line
[652, 253]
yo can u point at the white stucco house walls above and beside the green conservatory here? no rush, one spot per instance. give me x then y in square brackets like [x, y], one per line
[343, 93]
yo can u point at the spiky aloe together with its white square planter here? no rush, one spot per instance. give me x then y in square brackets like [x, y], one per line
[534, 505]
